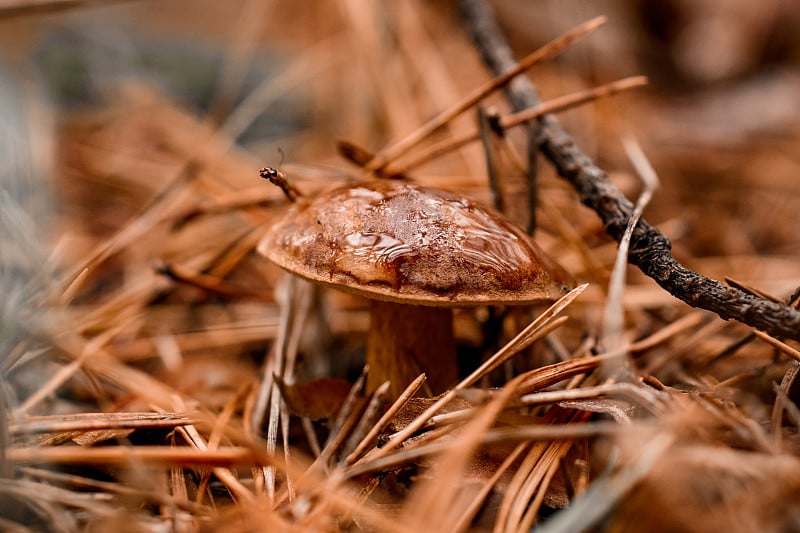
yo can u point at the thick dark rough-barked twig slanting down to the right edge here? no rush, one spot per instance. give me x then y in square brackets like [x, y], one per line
[650, 250]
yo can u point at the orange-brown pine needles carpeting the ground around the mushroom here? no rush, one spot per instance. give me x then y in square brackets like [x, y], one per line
[173, 380]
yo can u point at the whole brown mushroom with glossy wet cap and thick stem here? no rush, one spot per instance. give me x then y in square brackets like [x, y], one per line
[416, 253]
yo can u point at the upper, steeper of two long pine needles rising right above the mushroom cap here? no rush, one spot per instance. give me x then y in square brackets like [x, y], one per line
[388, 154]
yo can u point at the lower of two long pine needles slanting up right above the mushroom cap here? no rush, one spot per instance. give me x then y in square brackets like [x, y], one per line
[556, 105]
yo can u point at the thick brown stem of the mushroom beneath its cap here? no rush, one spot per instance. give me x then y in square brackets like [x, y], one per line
[406, 340]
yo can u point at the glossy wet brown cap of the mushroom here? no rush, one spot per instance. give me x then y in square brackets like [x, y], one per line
[390, 240]
